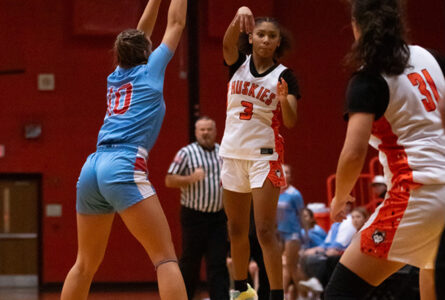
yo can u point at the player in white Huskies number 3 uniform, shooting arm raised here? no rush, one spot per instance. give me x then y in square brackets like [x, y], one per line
[260, 93]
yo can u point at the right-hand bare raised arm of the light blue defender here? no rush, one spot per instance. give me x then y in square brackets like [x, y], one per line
[177, 13]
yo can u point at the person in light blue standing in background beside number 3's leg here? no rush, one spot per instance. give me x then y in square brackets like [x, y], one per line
[290, 205]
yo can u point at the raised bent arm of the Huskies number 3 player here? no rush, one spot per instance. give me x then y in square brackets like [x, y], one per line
[242, 22]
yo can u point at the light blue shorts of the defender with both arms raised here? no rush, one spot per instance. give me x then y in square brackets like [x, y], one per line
[112, 179]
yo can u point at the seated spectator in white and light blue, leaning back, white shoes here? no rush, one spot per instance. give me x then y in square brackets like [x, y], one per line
[320, 262]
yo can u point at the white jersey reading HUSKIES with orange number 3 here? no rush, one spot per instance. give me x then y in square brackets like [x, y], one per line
[252, 121]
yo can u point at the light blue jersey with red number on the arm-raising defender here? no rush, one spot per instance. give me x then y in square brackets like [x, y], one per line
[136, 105]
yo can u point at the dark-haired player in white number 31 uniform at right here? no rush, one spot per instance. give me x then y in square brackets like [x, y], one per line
[392, 102]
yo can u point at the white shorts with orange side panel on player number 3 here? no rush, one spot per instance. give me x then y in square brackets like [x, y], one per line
[242, 176]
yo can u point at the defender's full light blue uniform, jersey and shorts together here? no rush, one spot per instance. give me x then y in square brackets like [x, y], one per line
[115, 177]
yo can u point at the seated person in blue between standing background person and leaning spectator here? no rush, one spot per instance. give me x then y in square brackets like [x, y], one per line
[312, 234]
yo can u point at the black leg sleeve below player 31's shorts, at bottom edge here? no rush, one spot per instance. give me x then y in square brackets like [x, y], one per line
[346, 285]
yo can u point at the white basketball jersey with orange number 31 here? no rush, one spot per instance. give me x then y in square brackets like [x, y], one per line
[410, 136]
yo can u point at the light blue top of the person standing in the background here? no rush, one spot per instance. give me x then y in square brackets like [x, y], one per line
[290, 204]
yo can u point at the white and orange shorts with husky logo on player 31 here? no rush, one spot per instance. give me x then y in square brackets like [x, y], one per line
[406, 227]
